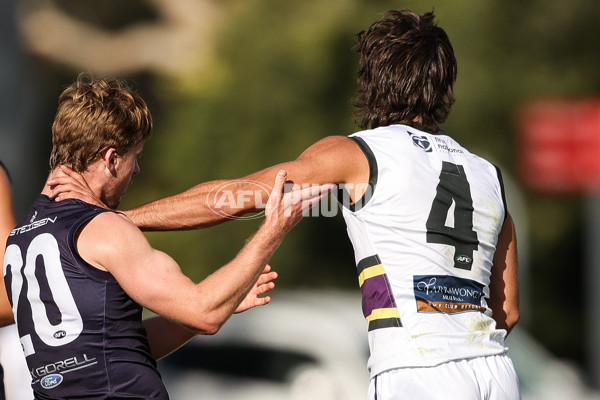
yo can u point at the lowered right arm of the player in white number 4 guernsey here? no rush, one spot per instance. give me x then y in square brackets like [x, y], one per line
[504, 283]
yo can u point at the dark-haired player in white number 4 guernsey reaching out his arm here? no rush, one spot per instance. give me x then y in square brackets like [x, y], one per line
[434, 243]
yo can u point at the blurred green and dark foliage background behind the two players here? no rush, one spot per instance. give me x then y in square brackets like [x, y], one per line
[255, 82]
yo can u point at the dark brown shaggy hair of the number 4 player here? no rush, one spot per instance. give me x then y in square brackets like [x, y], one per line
[406, 72]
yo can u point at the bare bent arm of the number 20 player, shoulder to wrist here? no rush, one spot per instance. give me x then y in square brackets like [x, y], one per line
[154, 280]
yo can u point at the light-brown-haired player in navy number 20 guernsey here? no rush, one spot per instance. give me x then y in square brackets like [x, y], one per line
[78, 275]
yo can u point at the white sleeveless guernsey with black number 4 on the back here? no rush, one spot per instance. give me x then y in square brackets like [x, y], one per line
[424, 236]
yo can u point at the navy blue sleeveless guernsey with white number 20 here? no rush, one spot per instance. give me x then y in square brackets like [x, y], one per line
[82, 335]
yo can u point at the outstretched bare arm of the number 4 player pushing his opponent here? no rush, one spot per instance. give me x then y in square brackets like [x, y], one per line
[335, 159]
